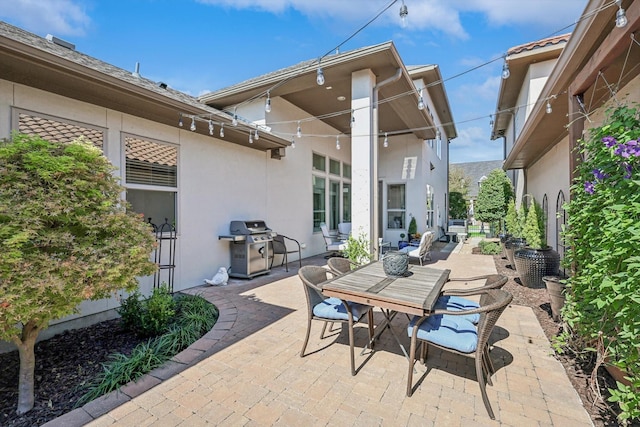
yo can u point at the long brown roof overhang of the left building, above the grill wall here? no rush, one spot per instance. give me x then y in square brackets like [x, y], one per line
[39, 68]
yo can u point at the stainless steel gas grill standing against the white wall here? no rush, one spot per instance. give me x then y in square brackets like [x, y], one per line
[249, 245]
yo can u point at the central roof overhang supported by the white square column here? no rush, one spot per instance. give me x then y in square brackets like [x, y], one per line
[397, 101]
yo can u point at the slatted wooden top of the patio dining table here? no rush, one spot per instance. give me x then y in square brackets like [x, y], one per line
[415, 293]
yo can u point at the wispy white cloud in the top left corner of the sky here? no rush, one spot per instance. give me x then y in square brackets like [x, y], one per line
[58, 17]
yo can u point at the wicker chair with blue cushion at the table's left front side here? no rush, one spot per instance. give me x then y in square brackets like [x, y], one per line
[331, 310]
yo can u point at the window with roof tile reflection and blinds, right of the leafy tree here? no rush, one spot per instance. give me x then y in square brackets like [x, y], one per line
[151, 178]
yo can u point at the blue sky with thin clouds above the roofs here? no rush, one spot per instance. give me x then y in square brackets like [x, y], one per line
[198, 46]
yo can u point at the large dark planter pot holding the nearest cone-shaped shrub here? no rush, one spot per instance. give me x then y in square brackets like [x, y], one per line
[533, 264]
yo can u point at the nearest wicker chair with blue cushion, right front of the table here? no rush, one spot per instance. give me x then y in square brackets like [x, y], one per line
[447, 330]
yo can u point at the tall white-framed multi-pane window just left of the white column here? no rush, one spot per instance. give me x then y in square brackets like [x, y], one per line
[331, 192]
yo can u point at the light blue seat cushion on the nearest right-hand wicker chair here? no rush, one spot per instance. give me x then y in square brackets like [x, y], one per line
[448, 331]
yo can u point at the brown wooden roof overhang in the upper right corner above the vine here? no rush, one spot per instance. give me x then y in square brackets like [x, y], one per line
[597, 30]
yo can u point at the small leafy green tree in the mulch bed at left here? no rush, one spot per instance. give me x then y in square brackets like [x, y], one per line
[65, 236]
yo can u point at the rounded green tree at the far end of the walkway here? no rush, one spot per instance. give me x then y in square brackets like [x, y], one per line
[493, 197]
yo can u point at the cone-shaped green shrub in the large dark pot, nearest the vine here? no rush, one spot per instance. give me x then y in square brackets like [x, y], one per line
[536, 259]
